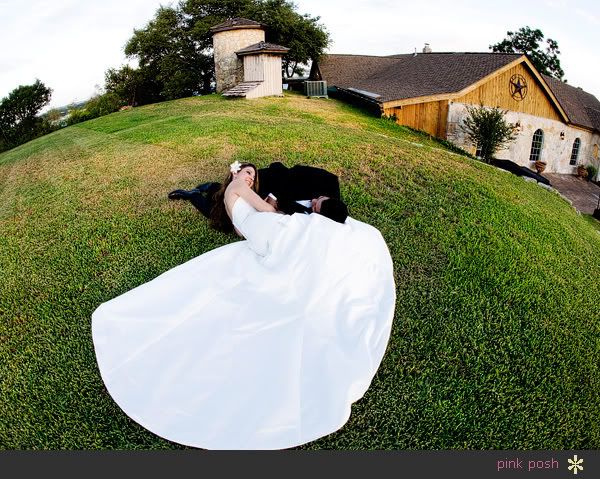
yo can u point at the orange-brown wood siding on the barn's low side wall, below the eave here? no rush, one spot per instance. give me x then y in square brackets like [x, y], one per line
[430, 117]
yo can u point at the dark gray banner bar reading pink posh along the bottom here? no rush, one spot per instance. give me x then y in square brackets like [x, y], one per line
[309, 464]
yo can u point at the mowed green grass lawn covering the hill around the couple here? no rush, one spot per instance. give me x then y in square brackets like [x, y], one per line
[496, 336]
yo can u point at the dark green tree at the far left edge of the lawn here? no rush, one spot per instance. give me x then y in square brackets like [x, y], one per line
[19, 120]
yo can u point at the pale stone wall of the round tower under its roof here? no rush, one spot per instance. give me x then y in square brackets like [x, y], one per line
[229, 69]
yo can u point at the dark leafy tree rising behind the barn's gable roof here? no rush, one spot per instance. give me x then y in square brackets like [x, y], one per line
[529, 41]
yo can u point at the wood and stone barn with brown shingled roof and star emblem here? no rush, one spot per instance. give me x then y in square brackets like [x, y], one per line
[557, 123]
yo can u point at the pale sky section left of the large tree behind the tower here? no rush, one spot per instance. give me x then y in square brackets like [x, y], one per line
[67, 44]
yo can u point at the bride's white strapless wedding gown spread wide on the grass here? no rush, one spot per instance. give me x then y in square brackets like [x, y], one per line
[260, 344]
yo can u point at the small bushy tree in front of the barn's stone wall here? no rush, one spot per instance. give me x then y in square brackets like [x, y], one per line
[487, 129]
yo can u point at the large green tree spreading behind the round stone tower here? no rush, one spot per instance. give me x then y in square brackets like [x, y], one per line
[174, 50]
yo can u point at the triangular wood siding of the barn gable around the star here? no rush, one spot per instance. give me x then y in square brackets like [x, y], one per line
[496, 92]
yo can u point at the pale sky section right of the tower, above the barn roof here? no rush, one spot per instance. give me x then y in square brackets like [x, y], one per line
[386, 27]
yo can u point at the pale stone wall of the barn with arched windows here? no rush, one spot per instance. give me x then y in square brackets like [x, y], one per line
[556, 152]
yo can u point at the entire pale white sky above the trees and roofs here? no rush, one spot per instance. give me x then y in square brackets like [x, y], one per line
[69, 44]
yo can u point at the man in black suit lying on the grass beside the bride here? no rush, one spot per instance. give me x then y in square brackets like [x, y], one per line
[317, 188]
